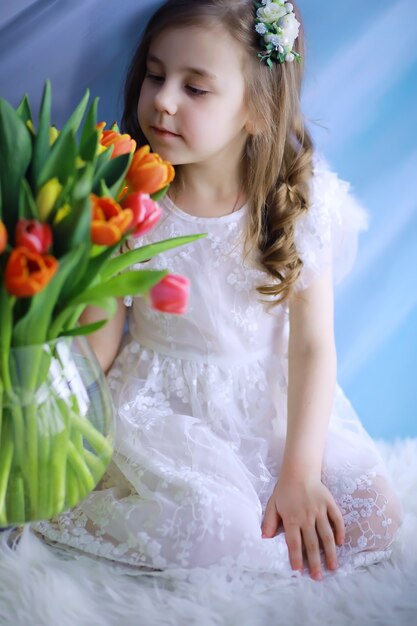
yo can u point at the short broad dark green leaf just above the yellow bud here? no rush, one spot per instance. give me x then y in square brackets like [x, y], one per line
[61, 160]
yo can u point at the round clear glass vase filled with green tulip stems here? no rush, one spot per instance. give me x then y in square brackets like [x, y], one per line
[56, 428]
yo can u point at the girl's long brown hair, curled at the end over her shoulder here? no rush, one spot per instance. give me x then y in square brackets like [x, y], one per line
[278, 156]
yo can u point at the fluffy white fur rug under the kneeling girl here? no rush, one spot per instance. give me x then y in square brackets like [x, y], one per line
[39, 586]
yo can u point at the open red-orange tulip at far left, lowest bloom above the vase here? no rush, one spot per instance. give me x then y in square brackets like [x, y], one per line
[28, 272]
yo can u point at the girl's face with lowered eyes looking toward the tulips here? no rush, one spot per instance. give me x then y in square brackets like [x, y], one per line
[192, 103]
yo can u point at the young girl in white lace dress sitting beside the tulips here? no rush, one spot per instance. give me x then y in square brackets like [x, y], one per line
[235, 446]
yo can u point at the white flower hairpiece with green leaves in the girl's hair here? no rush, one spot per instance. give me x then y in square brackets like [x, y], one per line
[276, 23]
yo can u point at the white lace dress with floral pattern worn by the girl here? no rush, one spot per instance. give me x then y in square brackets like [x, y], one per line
[201, 405]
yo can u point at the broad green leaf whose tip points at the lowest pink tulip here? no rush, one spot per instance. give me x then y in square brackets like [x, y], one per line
[131, 283]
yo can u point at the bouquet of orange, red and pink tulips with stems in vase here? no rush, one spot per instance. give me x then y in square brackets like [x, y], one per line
[69, 199]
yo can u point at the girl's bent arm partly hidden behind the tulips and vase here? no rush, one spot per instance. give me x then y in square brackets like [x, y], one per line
[106, 341]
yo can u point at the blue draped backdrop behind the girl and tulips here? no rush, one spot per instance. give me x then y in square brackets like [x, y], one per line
[361, 85]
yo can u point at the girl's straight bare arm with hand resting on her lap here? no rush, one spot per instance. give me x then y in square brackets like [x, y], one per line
[300, 500]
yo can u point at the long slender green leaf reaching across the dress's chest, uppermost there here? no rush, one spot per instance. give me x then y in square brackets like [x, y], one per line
[127, 259]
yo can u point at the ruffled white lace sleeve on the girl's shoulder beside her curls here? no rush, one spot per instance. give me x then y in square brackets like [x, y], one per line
[327, 235]
